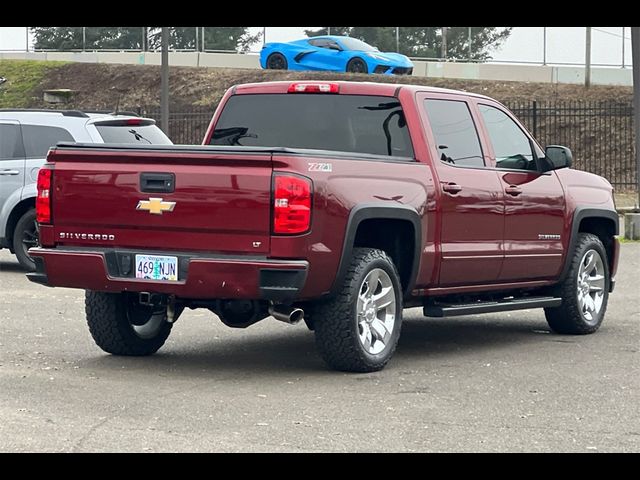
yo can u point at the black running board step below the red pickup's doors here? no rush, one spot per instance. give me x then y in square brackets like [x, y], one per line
[444, 310]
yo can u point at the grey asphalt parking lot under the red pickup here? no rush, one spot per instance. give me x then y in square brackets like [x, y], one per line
[499, 382]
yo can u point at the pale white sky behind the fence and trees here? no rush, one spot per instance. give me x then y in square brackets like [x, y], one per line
[564, 44]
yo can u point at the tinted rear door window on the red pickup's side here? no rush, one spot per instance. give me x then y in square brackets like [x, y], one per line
[455, 133]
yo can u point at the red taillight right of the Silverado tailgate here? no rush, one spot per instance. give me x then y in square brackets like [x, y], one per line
[292, 204]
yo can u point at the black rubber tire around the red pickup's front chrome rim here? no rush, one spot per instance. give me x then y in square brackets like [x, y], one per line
[570, 318]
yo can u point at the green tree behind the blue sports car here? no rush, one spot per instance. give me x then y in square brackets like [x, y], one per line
[427, 41]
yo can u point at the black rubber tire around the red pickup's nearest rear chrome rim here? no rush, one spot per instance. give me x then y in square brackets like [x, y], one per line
[336, 324]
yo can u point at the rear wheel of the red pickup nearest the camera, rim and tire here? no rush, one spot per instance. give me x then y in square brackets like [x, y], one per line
[358, 329]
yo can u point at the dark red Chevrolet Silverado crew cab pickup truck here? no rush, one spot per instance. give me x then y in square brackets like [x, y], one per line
[340, 203]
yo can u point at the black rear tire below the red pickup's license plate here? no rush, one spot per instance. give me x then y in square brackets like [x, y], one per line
[113, 319]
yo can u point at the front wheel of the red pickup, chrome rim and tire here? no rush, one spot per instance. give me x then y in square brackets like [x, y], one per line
[585, 290]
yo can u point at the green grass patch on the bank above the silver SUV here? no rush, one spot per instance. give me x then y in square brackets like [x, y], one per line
[23, 78]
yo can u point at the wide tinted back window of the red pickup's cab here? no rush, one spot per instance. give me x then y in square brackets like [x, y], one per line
[345, 123]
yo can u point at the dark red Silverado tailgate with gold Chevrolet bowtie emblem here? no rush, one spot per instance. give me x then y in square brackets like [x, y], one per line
[149, 198]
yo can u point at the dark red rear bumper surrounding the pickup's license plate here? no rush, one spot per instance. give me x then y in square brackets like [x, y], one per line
[200, 277]
